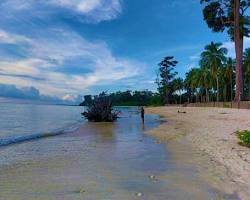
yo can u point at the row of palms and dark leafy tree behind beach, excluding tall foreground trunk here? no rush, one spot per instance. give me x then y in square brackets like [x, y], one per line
[213, 80]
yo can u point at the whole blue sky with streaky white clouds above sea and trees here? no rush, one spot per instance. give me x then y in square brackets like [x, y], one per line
[64, 49]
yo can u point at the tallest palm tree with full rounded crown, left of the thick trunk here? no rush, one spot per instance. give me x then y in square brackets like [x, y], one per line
[213, 57]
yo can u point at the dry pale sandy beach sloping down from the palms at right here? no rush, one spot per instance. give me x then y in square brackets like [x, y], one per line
[210, 131]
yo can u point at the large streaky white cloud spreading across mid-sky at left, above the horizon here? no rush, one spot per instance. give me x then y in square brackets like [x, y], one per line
[47, 54]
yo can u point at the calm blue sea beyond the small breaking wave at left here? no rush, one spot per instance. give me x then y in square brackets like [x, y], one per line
[24, 121]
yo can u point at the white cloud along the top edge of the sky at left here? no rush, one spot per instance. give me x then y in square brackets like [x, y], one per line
[94, 11]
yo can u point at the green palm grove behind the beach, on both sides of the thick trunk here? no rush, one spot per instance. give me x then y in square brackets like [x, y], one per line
[215, 66]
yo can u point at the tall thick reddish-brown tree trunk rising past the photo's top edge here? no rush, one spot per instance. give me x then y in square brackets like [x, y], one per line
[238, 38]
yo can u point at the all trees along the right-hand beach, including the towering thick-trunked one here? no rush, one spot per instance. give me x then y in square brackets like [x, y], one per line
[218, 77]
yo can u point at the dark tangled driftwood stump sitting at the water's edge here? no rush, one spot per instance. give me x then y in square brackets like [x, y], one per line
[101, 110]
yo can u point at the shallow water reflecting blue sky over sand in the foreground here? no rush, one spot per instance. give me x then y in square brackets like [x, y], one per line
[101, 161]
